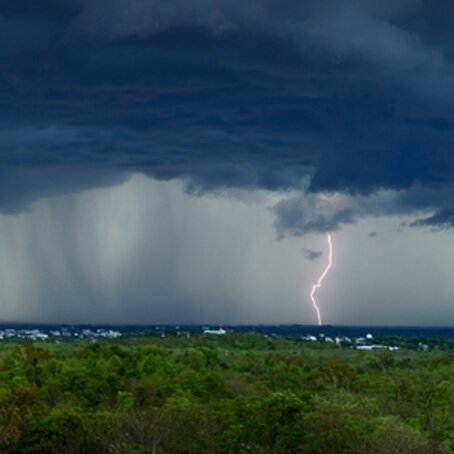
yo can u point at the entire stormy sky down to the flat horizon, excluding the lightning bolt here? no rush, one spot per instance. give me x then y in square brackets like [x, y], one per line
[182, 162]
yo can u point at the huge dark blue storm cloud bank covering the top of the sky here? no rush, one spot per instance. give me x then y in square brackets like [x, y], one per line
[353, 96]
